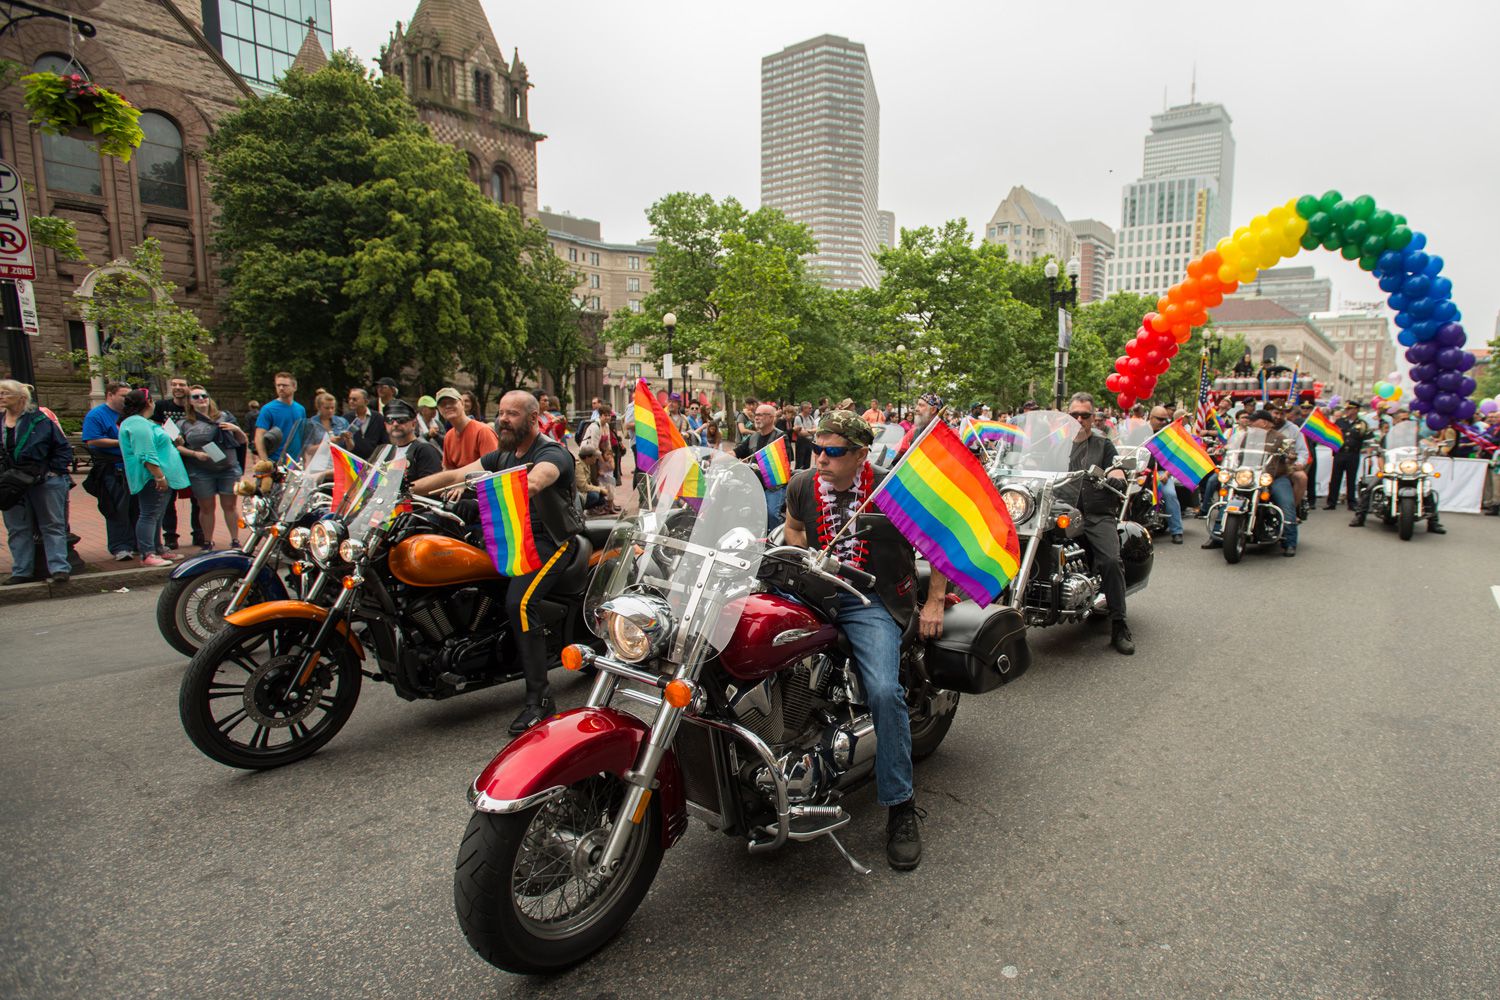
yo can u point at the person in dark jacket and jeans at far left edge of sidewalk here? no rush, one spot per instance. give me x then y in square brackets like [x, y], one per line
[35, 458]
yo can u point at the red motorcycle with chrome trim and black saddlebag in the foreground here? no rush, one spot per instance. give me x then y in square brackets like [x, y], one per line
[757, 726]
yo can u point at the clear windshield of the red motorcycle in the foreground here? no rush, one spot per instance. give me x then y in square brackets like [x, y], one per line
[698, 549]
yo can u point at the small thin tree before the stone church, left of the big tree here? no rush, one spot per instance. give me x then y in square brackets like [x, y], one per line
[149, 334]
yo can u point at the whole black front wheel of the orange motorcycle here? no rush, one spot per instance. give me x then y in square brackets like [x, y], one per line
[236, 702]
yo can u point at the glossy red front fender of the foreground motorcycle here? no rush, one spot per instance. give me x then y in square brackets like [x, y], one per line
[547, 759]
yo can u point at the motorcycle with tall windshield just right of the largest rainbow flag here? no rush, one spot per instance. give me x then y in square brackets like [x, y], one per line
[1057, 582]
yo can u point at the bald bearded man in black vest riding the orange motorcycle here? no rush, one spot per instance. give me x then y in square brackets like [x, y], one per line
[554, 521]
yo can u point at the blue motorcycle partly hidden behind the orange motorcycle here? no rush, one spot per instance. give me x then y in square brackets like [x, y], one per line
[205, 590]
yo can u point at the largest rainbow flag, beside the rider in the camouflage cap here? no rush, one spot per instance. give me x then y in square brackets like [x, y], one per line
[947, 507]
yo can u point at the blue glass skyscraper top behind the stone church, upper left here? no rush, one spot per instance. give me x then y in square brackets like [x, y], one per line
[262, 38]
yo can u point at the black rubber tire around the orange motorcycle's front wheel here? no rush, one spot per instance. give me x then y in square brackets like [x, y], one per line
[193, 704]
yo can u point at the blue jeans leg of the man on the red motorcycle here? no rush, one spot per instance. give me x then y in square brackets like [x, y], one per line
[877, 642]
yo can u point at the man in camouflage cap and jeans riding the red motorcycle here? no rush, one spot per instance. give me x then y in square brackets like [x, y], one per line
[821, 500]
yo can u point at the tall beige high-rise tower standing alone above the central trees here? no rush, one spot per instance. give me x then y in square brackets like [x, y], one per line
[821, 152]
